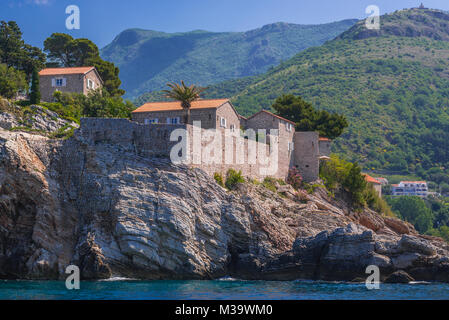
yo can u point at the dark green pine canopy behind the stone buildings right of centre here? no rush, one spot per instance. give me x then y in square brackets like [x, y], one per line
[301, 112]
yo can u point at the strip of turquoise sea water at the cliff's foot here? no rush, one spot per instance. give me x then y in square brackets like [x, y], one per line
[219, 289]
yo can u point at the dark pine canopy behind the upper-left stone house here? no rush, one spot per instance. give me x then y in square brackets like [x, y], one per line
[65, 51]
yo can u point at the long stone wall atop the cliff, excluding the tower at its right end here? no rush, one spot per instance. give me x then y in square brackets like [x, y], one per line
[154, 140]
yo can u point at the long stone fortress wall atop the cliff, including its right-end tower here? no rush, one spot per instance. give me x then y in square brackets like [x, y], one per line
[254, 159]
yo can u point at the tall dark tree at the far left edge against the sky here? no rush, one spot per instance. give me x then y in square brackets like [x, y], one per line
[14, 52]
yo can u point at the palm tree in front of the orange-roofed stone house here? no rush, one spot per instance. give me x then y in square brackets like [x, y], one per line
[184, 94]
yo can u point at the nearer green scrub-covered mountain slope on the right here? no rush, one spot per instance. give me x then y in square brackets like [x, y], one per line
[392, 85]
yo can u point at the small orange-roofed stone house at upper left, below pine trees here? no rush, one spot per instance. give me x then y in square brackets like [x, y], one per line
[72, 80]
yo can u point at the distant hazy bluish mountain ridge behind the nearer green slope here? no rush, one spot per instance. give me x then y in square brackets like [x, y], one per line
[149, 59]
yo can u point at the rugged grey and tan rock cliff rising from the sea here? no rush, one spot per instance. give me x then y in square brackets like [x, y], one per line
[112, 213]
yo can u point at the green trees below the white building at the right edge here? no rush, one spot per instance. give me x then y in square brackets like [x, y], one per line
[429, 216]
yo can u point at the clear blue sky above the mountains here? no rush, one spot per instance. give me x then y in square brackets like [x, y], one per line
[102, 20]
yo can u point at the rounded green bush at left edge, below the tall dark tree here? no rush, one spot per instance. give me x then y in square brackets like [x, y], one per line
[12, 81]
